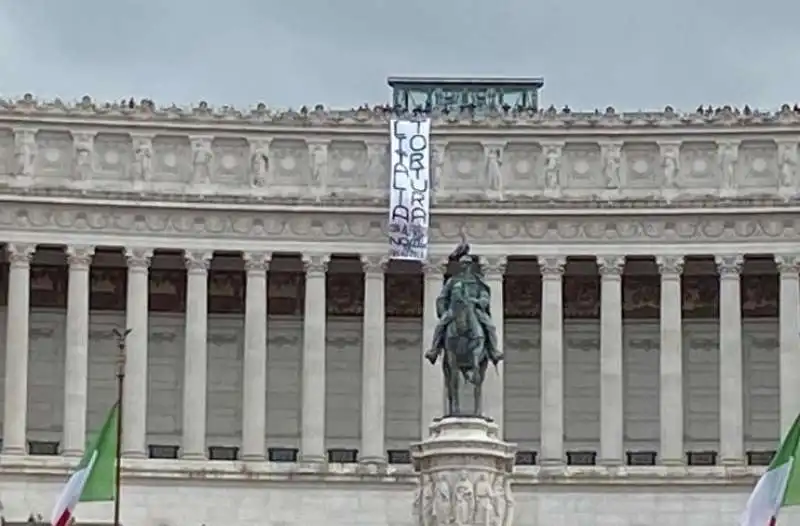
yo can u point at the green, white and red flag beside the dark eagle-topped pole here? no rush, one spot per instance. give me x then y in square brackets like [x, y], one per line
[96, 475]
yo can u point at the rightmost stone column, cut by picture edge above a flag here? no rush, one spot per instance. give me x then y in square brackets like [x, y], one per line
[789, 298]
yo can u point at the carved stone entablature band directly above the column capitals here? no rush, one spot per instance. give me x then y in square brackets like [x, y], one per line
[215, 227]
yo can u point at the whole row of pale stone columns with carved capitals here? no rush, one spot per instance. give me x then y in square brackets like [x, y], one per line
[372, 448]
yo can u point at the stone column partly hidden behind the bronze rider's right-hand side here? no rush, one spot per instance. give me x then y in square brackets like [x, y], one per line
[494, 269]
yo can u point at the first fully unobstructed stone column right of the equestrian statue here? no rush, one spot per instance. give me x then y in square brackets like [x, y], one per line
[552, 361]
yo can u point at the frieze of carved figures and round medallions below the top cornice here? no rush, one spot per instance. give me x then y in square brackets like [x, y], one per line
[461, 170]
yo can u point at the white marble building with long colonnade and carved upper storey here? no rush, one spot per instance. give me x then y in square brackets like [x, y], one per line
[645, 270]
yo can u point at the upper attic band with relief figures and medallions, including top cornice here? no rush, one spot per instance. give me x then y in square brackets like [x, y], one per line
[507, 157]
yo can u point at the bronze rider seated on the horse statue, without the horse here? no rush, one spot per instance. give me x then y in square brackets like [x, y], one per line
[470, 277]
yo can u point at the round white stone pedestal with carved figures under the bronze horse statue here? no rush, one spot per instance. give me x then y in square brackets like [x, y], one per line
[464, 471]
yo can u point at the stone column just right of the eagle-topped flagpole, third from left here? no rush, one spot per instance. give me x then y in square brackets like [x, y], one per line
[134, 397]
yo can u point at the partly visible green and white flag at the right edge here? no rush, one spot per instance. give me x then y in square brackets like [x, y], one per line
[779, 486]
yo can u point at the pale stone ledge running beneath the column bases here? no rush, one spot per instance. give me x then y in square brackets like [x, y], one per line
[265, 472]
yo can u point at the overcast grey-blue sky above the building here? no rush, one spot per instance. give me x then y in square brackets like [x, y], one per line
[633, 54]
